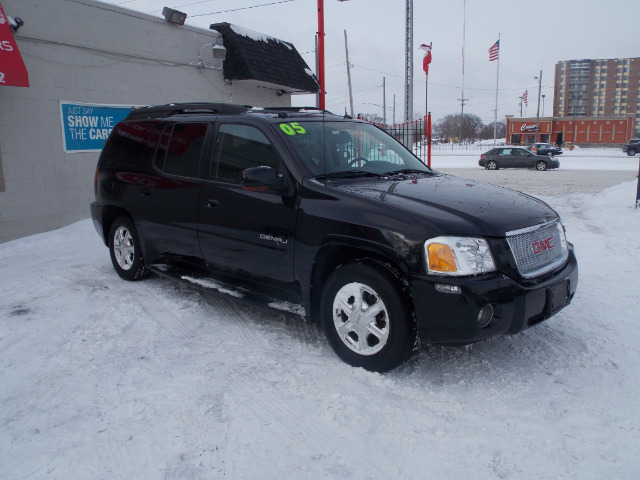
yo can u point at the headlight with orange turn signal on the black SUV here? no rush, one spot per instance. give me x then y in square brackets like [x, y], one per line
[458, 256]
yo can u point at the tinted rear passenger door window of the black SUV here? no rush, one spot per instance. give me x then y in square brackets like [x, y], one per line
[180, 148]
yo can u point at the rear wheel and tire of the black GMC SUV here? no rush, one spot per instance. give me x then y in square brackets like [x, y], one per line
[125, 250]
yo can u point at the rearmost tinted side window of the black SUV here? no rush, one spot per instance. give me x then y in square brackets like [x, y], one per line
[129, 147]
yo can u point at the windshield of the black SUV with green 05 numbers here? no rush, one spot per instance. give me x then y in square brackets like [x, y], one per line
[345, 148]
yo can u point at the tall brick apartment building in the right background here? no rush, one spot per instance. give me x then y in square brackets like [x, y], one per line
[598, 88]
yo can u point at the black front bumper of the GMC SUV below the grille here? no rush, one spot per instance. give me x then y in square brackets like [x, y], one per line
[453, 317]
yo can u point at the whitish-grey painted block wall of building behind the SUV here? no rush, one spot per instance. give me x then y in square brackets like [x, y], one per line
[62, 44]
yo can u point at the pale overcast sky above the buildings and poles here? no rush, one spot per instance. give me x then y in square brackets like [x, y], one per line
[534, 35]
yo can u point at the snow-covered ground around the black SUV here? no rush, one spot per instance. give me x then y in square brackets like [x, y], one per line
[106, 379]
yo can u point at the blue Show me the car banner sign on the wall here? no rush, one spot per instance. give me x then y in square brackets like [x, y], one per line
[85, 127]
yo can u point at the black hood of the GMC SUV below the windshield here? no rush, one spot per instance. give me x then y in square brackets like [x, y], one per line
[446, 204]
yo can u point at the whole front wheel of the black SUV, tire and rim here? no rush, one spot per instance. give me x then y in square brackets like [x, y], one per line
[366, 319]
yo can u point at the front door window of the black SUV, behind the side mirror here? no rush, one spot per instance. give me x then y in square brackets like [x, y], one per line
[237, 148]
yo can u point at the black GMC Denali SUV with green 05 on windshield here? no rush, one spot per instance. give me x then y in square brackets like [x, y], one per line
[330, 218]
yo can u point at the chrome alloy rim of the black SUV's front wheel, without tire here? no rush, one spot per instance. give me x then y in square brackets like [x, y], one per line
[361, 319]
